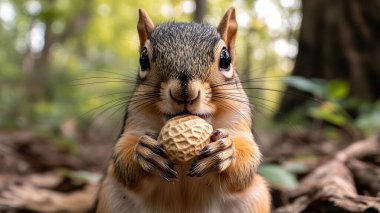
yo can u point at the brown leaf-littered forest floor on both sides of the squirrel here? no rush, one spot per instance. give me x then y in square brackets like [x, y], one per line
[36, 175]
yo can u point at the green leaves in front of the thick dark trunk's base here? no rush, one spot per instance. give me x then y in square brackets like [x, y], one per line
[336, 102]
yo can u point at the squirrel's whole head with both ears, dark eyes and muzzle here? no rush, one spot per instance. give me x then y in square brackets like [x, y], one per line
[191, 66]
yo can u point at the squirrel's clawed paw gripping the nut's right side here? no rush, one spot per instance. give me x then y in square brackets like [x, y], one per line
[217, 156]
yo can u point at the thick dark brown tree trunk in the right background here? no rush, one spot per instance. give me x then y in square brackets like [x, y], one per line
[339, 39]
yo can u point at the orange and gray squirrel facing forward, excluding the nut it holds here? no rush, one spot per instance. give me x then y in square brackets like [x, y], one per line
[186, 68]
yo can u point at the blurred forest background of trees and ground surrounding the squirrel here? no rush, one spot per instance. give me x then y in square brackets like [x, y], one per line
[313, 68]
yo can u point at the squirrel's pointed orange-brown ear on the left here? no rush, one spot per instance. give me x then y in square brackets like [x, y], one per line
[144, 27]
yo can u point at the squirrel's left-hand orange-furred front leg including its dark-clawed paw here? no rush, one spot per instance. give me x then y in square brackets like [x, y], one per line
[136, 158]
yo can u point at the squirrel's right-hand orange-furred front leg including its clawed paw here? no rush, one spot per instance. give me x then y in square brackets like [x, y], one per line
[236, 159]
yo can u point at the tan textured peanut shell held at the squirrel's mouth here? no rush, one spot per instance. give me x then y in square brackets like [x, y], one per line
[183, 137]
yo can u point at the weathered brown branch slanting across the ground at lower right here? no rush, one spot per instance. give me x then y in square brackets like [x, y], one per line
[332, 183]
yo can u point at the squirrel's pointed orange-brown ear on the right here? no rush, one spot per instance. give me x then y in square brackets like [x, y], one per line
[228, 28]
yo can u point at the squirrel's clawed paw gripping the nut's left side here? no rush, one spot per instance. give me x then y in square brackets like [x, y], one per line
[153, 159]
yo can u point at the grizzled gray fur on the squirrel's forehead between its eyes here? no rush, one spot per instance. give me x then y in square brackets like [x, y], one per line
[184, 49]
